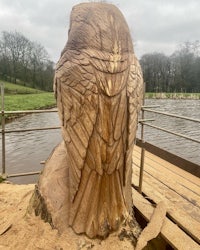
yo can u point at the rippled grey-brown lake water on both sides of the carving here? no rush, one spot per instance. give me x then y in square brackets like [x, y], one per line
[25, 151]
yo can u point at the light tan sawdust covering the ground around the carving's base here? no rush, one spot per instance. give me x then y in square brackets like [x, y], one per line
[19, 230]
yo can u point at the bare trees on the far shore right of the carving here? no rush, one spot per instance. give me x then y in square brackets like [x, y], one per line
[179, 72]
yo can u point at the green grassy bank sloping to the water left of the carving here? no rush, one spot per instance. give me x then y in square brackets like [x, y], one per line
[17, 97]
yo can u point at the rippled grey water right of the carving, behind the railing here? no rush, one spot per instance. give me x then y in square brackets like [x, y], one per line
[174, 144]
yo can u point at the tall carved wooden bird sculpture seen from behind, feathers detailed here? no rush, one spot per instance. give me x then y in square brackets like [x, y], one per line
[99, 88]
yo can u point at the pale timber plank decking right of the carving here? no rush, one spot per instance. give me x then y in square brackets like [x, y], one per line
[179, 190]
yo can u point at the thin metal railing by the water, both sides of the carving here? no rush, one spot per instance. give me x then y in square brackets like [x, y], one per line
[143, 122]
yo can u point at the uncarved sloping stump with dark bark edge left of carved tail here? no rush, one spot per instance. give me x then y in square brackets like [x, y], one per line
[50, 198]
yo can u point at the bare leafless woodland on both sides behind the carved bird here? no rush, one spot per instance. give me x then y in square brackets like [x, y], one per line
[25, 62]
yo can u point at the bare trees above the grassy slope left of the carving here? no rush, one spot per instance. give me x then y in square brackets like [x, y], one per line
[25, 62]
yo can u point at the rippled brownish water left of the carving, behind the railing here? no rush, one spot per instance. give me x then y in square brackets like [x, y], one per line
[25, 151]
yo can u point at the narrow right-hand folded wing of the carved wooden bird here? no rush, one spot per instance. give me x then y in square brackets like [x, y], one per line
[135, 90]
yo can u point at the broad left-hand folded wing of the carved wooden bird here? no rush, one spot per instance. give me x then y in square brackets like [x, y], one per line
[77, 102]
